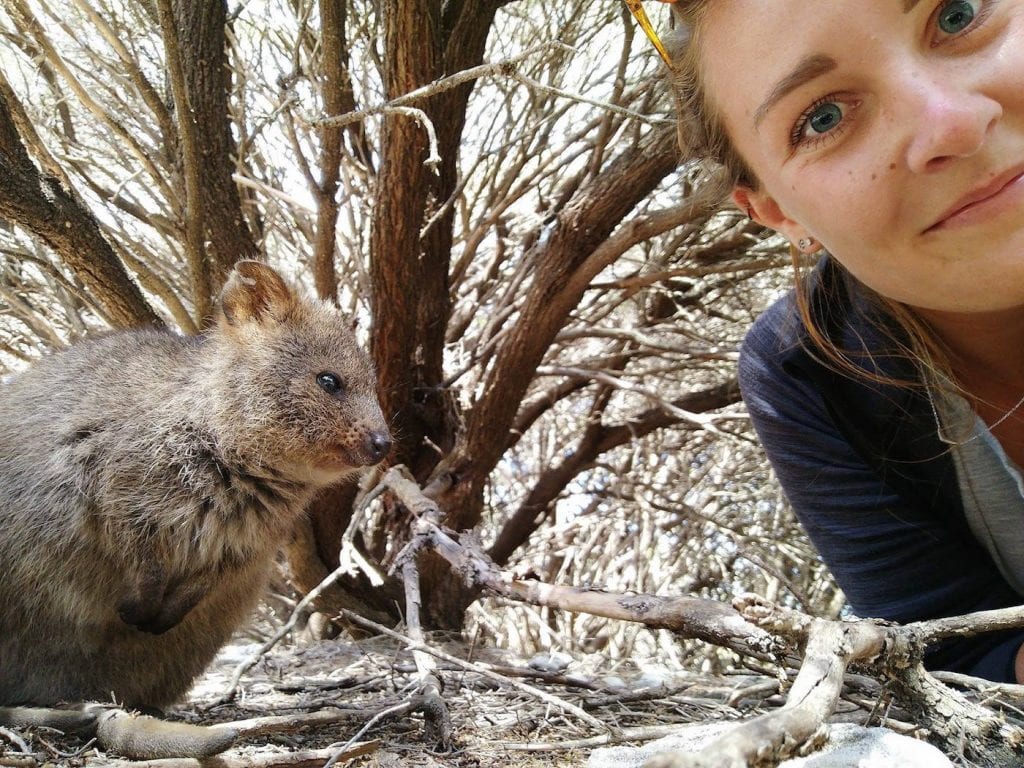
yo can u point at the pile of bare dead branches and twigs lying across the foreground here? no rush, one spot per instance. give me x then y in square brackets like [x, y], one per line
[802, 673]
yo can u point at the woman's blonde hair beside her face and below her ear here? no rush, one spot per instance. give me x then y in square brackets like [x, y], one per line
[704, 140]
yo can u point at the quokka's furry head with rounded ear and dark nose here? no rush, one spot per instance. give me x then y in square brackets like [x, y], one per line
[301, 390]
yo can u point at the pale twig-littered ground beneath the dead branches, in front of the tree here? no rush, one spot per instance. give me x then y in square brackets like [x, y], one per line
[504, 711]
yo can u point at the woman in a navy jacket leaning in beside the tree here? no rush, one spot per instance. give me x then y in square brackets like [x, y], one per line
[888, 138]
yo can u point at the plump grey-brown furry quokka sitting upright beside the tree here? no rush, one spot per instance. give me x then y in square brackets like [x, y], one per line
[148, 480]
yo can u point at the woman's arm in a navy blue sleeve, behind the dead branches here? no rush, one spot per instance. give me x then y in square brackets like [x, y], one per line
[894, 558]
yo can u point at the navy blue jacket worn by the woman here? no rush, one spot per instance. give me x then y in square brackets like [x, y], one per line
[865, 470]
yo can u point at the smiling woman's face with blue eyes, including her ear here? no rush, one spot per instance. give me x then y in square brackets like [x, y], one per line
[892, 132]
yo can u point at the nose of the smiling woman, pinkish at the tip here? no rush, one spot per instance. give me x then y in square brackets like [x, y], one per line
[950, 118]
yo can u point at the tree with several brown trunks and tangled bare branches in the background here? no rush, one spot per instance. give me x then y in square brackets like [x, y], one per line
[494, 189]
